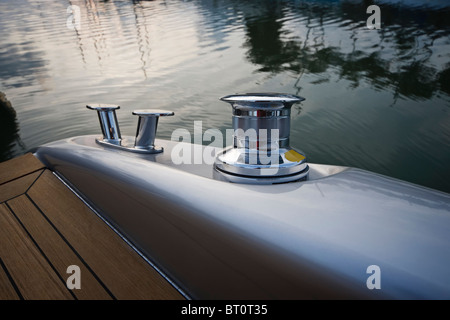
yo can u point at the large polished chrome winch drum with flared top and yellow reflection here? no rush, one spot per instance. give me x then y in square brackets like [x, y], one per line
[261, 153]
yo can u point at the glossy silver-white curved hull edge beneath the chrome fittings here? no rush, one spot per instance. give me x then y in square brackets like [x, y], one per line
[309, 239]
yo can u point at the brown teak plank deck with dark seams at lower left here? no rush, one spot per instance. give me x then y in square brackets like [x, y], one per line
[45, 228]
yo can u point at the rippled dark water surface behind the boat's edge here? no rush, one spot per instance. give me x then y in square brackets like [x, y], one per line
[375, 99]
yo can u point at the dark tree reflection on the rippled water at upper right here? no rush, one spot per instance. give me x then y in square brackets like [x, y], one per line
[401, 59]
